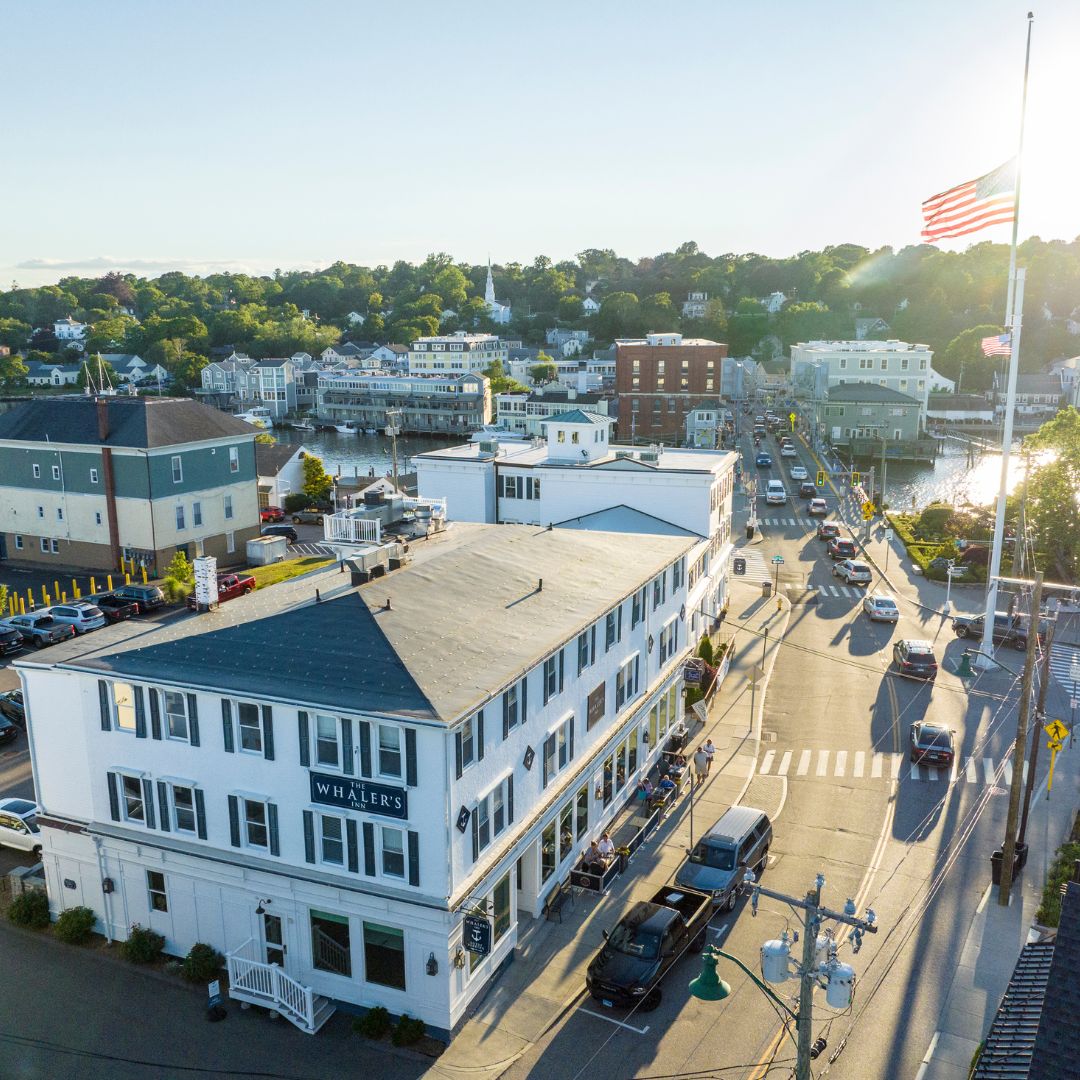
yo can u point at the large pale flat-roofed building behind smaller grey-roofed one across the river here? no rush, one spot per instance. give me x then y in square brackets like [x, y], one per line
[818, 366]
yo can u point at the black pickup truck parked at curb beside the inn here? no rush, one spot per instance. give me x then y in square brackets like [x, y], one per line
[645, 946]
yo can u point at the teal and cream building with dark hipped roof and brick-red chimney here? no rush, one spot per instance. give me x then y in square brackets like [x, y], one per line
[88, 482]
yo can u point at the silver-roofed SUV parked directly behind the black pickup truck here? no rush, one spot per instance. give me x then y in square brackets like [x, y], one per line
[739, 842]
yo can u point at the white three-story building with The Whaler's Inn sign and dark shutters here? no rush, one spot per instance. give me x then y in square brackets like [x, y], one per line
[335, 818]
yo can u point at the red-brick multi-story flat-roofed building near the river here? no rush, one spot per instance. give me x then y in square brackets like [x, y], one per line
[663, 377]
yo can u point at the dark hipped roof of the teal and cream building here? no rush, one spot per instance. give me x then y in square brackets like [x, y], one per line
[145, 423]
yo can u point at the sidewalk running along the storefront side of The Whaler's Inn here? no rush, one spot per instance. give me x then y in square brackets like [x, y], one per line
[548, 976]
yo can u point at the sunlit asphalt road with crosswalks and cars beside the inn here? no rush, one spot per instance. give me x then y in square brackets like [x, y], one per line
[834, 774]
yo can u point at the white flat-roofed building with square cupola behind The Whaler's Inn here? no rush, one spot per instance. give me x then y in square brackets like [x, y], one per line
[577, 479]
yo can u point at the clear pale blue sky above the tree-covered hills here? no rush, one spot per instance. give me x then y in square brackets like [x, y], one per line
[253, 136]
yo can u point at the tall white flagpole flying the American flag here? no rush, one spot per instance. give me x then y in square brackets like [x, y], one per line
[1015, 310]
